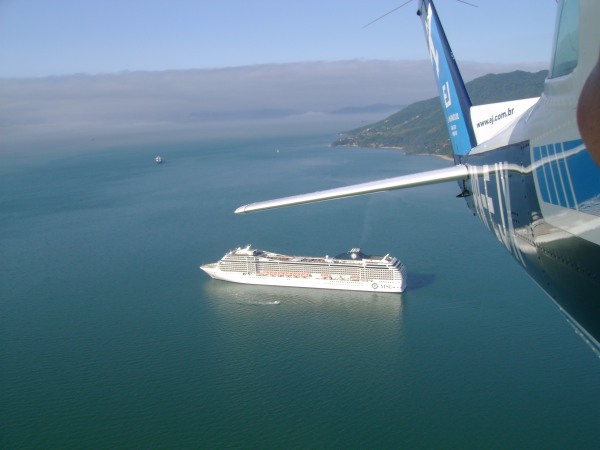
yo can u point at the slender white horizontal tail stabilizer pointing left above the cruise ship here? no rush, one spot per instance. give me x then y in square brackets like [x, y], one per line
[458, 172]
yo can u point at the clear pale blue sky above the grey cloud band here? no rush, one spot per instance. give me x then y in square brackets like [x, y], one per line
[41, 38]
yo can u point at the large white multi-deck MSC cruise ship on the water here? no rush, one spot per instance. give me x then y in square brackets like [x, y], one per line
[352, 270]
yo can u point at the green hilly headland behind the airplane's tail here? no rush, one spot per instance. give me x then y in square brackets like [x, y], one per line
[420, 127]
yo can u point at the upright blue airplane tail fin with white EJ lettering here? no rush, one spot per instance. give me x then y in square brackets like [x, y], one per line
[456, 103]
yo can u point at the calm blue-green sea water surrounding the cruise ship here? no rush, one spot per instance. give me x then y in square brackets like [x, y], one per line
[111, 337]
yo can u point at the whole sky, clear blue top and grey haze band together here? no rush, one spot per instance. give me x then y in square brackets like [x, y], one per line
[108, 68]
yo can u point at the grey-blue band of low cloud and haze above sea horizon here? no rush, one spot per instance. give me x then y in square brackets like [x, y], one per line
[193, 102]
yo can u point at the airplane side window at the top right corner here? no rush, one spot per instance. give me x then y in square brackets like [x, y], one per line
[566, 48]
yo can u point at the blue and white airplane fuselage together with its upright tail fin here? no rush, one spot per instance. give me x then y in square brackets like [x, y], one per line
[532, 182]
